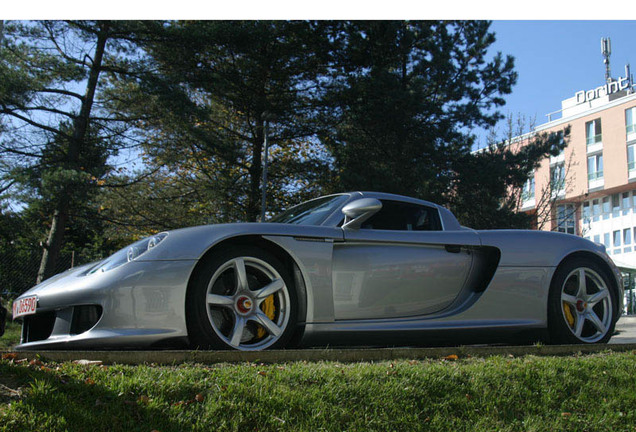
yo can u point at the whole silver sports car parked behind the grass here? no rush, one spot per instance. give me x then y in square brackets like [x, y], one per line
[351, 268]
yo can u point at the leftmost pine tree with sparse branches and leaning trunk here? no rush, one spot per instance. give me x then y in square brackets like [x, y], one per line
[57, 138]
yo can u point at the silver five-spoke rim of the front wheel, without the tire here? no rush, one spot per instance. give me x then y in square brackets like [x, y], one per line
[235, 295]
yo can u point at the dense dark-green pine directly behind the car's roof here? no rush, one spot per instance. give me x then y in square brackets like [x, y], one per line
[404, 96]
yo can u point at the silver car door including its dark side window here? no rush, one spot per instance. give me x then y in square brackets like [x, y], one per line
[400, 263]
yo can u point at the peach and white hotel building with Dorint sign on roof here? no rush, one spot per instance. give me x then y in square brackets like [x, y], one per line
[590, 189]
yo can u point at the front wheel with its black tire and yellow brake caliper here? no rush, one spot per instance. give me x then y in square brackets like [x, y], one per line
[223, 314]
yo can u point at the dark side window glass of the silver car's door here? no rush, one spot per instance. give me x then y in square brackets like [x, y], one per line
[400, 216]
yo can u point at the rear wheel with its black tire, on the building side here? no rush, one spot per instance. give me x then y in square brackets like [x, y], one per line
[582, 303]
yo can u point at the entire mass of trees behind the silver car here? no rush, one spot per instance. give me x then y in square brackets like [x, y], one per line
[345, 105]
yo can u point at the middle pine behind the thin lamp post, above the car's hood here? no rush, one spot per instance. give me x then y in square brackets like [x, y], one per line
[212, 90]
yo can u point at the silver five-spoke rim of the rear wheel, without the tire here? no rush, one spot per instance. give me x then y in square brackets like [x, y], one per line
[586, 305]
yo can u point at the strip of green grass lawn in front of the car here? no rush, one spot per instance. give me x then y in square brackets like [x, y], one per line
[580, 393]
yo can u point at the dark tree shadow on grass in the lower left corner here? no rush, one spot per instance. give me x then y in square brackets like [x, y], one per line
[47, 400]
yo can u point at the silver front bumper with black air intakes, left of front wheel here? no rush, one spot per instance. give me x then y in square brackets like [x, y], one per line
[137, 305]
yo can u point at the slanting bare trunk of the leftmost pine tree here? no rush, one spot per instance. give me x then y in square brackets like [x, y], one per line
[53, 246]
